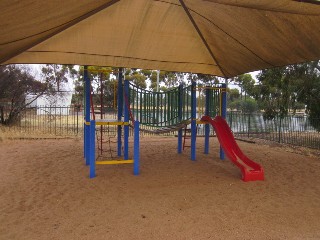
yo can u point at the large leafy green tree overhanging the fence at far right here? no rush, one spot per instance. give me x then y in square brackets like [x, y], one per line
[286, 89]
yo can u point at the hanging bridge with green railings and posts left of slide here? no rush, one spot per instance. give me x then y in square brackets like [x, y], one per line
[174, 110]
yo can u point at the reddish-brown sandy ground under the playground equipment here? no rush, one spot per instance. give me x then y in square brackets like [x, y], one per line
[45, 193]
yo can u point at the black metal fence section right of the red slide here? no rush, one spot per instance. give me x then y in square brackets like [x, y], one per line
[292, 129]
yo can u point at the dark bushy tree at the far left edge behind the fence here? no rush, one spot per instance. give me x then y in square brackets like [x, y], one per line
[15, 83]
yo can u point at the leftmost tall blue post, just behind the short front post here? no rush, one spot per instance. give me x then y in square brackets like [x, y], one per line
[87, 89]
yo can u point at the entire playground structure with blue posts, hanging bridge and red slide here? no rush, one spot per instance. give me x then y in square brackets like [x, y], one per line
[161, 112]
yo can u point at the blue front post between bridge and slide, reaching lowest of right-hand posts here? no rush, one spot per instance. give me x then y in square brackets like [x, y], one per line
[193, 120]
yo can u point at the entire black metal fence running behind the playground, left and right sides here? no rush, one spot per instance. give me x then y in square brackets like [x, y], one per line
[68, 121]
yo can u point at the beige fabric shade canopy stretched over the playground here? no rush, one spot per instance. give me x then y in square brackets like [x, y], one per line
[218, 37]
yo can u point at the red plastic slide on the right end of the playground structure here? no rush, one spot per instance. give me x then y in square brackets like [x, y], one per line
[251, 171]
